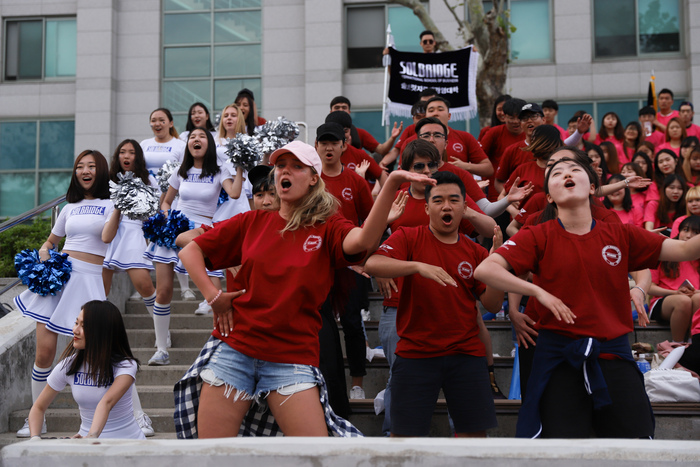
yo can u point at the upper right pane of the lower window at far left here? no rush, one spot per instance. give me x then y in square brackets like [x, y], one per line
[56, 145]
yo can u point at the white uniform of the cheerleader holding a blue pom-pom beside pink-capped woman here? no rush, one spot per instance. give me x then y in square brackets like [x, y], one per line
[197, 201]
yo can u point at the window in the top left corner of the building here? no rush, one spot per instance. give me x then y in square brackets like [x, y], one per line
[40, 49]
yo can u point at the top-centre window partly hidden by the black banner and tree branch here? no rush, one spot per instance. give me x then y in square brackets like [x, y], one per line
[366, 33]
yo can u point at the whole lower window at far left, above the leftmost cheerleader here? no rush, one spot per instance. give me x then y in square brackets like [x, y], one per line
[36, 162]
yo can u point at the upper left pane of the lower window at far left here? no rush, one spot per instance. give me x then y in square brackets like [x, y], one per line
[17, 146]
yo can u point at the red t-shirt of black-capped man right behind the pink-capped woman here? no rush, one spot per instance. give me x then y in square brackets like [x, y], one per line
[352, 192]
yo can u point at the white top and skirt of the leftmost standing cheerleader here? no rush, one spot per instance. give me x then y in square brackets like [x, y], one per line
[82, 224]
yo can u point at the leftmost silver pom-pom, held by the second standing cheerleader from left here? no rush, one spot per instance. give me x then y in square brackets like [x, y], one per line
[133, 198]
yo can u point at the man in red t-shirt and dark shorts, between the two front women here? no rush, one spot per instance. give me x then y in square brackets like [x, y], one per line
[439, 346]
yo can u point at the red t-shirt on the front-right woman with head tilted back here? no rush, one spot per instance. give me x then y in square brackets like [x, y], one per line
[587, 272]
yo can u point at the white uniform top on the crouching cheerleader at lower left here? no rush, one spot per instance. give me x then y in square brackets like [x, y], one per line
[121, 423]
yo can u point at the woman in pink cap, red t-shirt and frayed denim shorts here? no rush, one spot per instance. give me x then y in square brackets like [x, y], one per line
[269, 328]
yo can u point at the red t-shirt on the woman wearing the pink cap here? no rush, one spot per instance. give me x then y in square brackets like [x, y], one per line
[286, 277]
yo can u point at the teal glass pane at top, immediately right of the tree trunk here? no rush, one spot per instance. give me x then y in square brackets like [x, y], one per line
[526, 43]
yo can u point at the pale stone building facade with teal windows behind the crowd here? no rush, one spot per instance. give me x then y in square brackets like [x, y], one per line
[83, 74]
